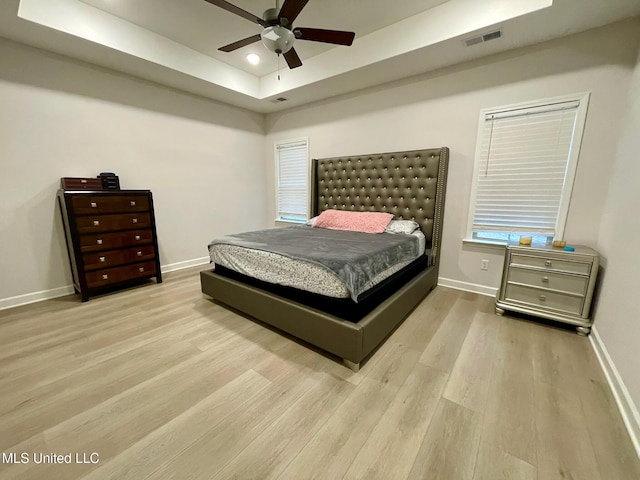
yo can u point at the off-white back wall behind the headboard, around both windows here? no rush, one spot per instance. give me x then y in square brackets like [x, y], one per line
[442, 109]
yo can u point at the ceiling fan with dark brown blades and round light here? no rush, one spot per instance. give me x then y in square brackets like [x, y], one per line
[279, 34]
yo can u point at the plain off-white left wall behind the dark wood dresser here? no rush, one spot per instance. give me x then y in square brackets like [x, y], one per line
[202, 160]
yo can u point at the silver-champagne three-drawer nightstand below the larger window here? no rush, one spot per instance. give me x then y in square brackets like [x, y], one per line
[550, 283]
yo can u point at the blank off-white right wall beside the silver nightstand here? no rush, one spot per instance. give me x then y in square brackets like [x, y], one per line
[617, 314]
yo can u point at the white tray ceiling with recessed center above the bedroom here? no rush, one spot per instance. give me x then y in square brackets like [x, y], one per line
[174, 42]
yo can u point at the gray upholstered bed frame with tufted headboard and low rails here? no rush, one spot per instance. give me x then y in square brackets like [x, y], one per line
[410, 185]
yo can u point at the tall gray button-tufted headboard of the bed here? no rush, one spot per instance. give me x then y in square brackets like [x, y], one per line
[410, 184]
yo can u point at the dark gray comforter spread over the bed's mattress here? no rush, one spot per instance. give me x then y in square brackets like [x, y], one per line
[354, 257]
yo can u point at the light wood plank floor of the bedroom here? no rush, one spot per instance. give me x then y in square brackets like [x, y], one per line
[162, 383]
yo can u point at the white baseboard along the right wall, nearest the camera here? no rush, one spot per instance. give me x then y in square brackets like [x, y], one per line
[627, 408]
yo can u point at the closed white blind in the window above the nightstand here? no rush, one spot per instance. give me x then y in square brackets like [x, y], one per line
[523, 159]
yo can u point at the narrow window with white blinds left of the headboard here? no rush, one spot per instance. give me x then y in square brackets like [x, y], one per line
[292, 180]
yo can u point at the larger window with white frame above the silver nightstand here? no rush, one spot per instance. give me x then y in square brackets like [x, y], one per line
[526, 157]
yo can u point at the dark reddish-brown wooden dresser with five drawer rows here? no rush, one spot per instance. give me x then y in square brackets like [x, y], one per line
[111, 238]
